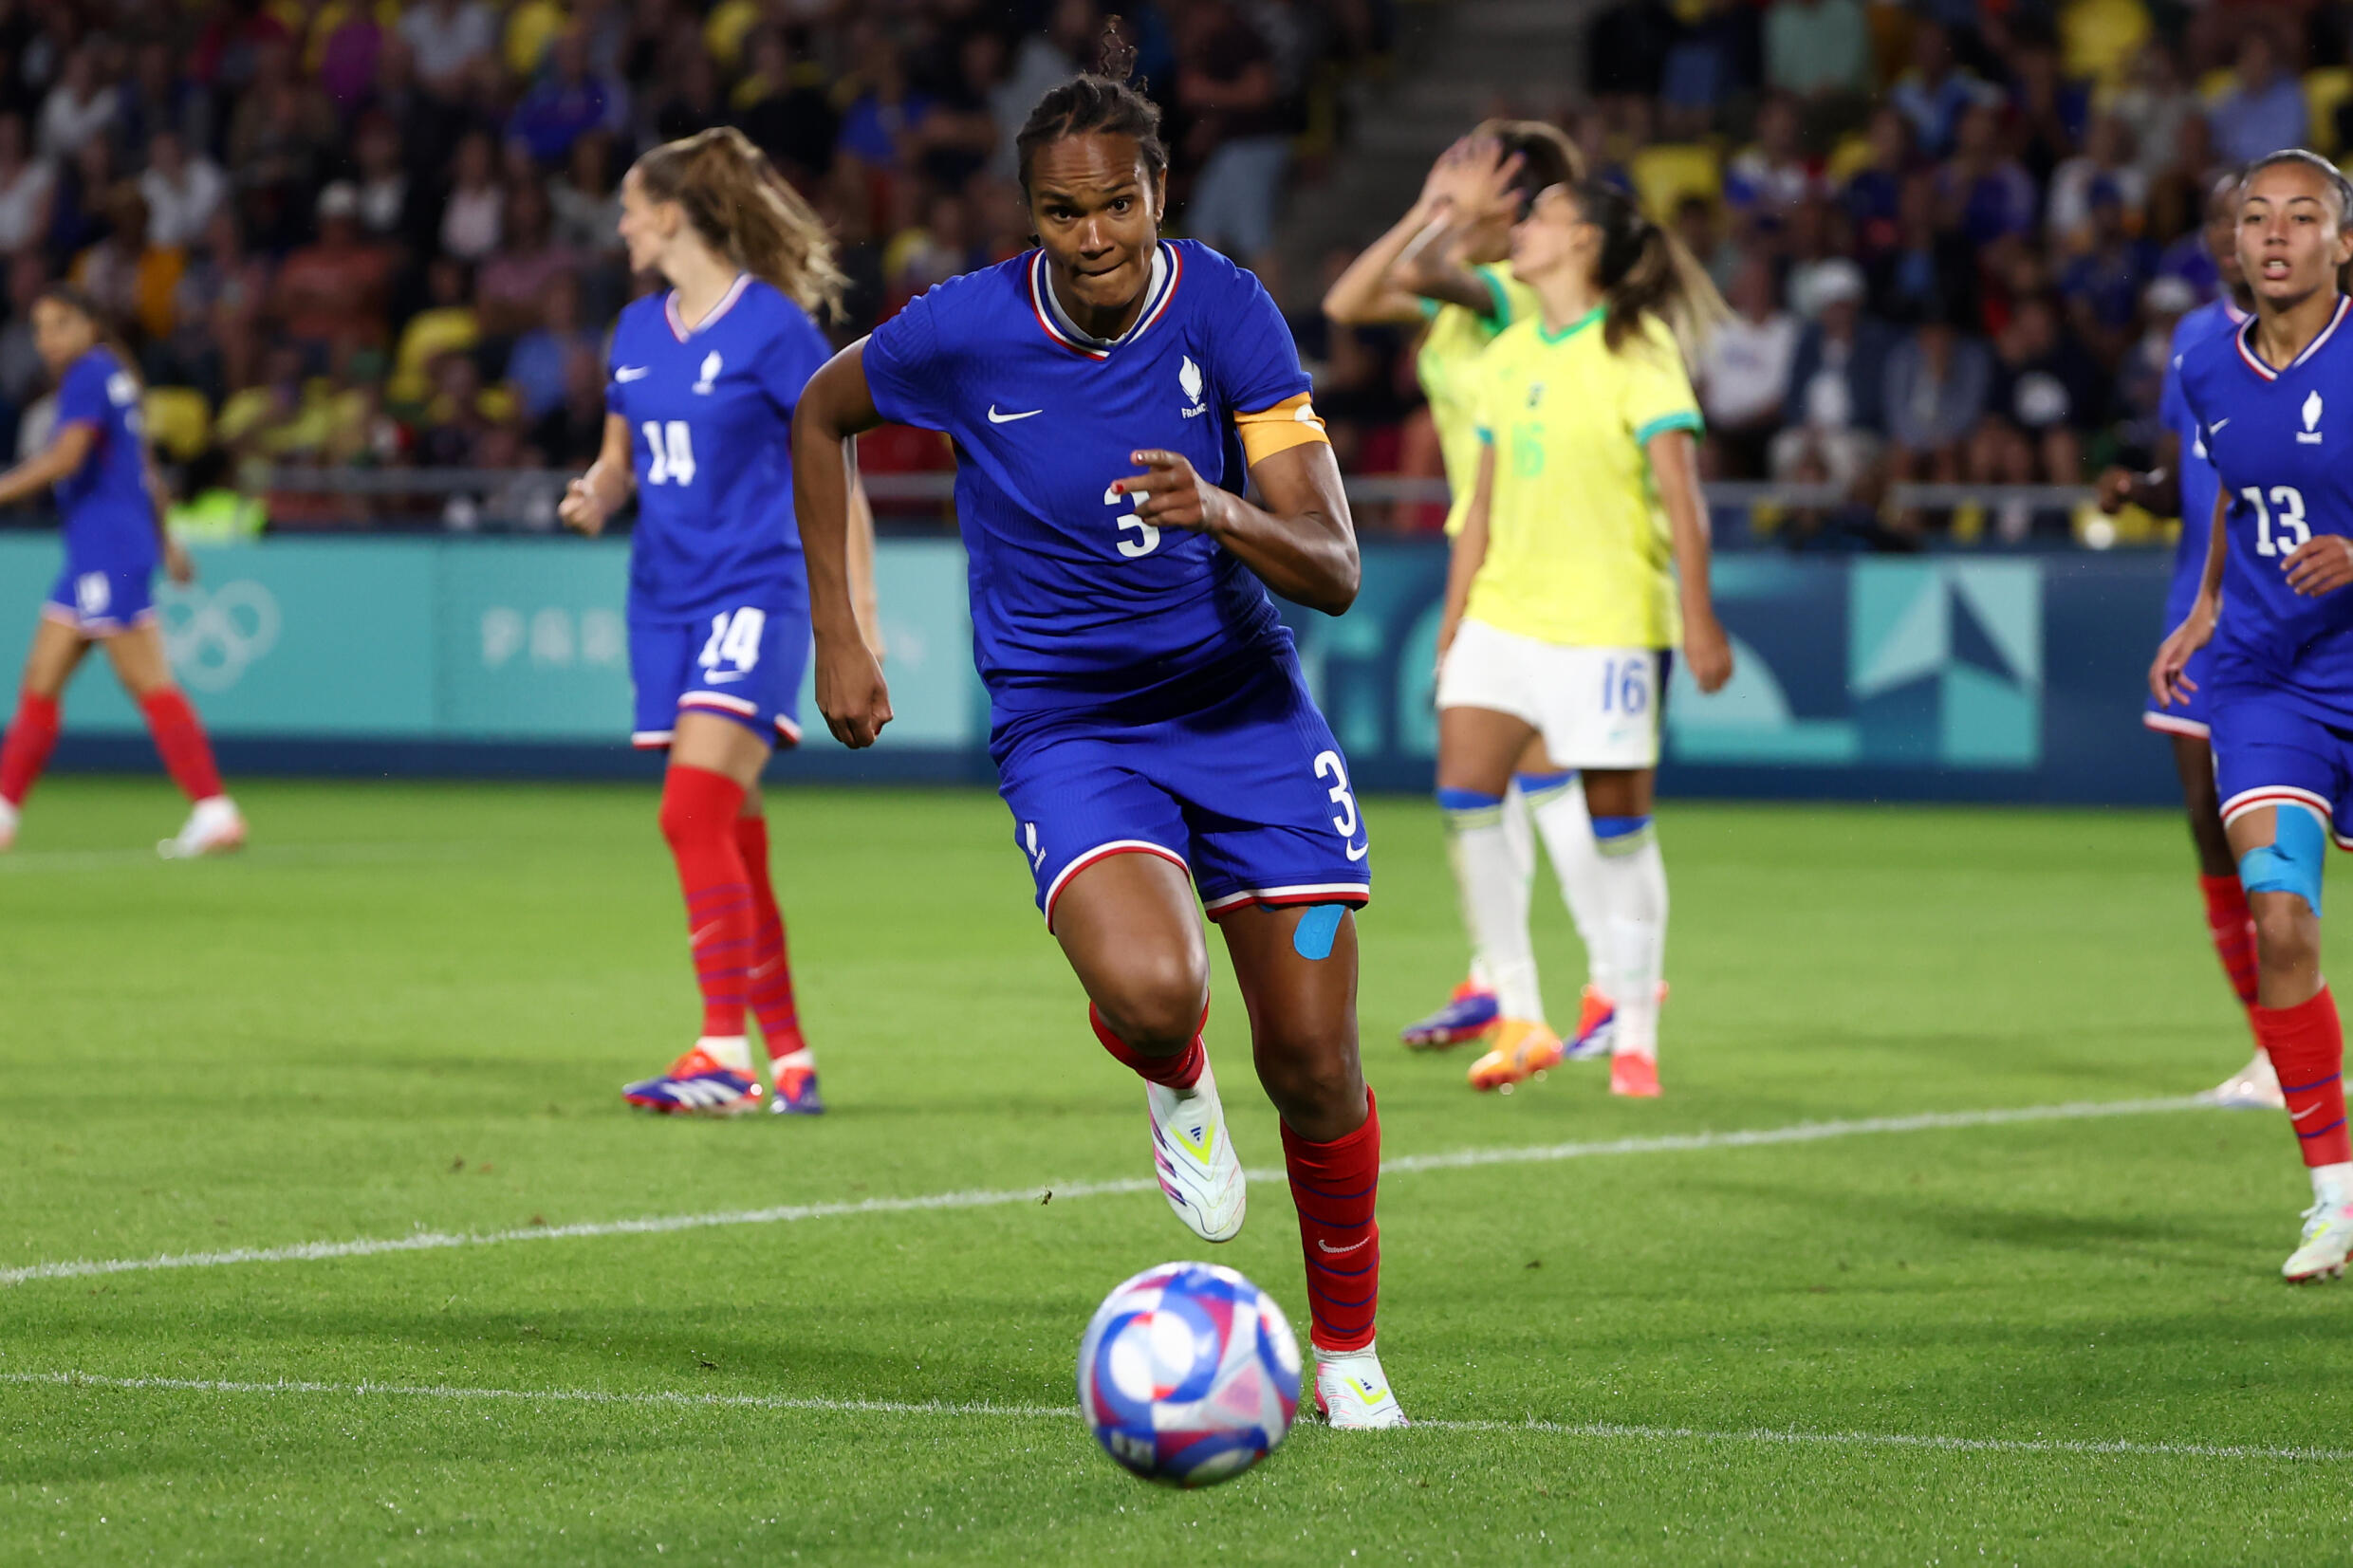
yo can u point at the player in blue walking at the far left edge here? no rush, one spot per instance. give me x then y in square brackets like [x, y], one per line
[112, 507]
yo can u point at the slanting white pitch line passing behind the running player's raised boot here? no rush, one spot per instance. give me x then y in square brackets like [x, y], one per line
[1669, 1144]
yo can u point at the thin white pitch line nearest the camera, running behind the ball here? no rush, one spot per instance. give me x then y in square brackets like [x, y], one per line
[935, 1409]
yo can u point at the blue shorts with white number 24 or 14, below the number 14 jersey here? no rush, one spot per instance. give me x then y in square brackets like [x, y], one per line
[740, 662]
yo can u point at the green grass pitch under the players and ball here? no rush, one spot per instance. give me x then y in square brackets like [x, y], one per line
[408, 1010]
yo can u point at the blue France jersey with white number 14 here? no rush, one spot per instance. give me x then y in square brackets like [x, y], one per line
[712, 427]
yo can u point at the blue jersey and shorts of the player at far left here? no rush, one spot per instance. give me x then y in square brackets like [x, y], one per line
[109, 516]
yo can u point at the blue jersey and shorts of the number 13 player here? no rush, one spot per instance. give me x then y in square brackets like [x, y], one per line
[2281, 674]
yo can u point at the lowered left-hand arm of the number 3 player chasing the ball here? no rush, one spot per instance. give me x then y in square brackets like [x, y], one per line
[834, 408]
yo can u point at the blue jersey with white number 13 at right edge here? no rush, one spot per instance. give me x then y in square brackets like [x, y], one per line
[2284, 453]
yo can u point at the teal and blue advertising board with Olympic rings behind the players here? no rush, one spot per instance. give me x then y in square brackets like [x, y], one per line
[1860, 678]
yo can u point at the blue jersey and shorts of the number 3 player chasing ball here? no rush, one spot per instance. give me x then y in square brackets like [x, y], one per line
[1145, 697]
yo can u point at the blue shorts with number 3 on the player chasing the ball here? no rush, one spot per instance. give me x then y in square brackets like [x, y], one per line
[1248, 793]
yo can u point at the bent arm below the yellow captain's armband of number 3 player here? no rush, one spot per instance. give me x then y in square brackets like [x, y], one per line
[1302, 542]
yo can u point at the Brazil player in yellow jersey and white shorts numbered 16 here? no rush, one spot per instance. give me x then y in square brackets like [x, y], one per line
[1585, 558]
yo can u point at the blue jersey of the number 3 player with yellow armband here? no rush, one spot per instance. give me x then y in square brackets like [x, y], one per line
[1074, 601]
